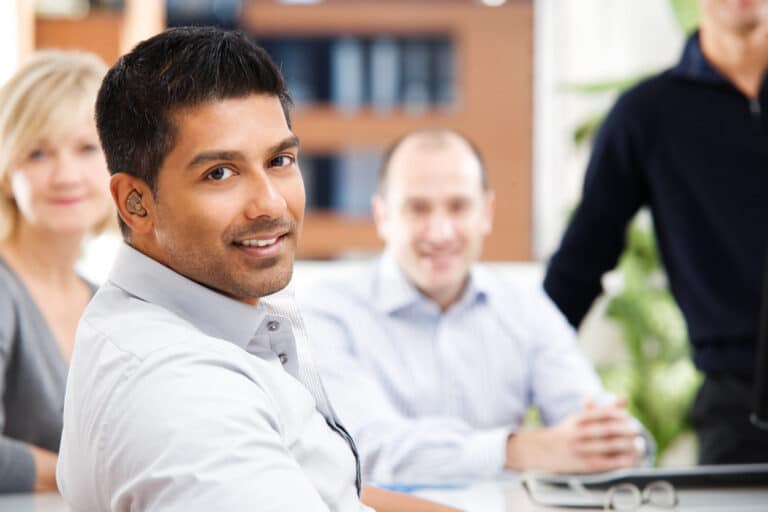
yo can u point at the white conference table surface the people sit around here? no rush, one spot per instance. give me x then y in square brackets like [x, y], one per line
[503, 495]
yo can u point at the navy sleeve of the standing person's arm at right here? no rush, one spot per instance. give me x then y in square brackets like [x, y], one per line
[614, 189]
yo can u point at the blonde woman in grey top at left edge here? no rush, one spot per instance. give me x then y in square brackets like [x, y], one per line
[53, 193]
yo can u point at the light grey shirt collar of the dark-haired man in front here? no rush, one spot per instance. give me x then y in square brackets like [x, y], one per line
[212, 312]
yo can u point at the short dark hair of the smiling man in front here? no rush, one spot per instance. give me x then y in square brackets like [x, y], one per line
[179, 68]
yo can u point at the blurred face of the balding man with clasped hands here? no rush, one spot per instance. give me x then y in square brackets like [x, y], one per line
[434, 215]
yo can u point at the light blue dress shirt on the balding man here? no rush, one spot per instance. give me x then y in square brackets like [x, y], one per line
[431, 395]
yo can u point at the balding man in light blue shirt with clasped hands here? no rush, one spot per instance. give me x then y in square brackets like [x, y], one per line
[432, 360]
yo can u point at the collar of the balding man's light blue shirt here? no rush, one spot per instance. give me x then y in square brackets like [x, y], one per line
[393, 291]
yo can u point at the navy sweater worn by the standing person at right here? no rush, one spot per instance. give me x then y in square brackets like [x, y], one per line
[694, 149]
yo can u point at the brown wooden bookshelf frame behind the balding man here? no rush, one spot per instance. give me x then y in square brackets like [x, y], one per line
[493, 53]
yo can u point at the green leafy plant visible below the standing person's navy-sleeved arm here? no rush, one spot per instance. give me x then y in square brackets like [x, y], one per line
[660, 379]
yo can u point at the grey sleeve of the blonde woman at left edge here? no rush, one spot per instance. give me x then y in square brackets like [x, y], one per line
[17, 466]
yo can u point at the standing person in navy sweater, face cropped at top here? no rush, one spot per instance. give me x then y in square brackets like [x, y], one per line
[691, 144]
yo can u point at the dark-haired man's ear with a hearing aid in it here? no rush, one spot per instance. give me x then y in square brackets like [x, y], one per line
[134, 201]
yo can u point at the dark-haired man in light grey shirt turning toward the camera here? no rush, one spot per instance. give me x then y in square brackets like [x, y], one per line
[187, 391]
